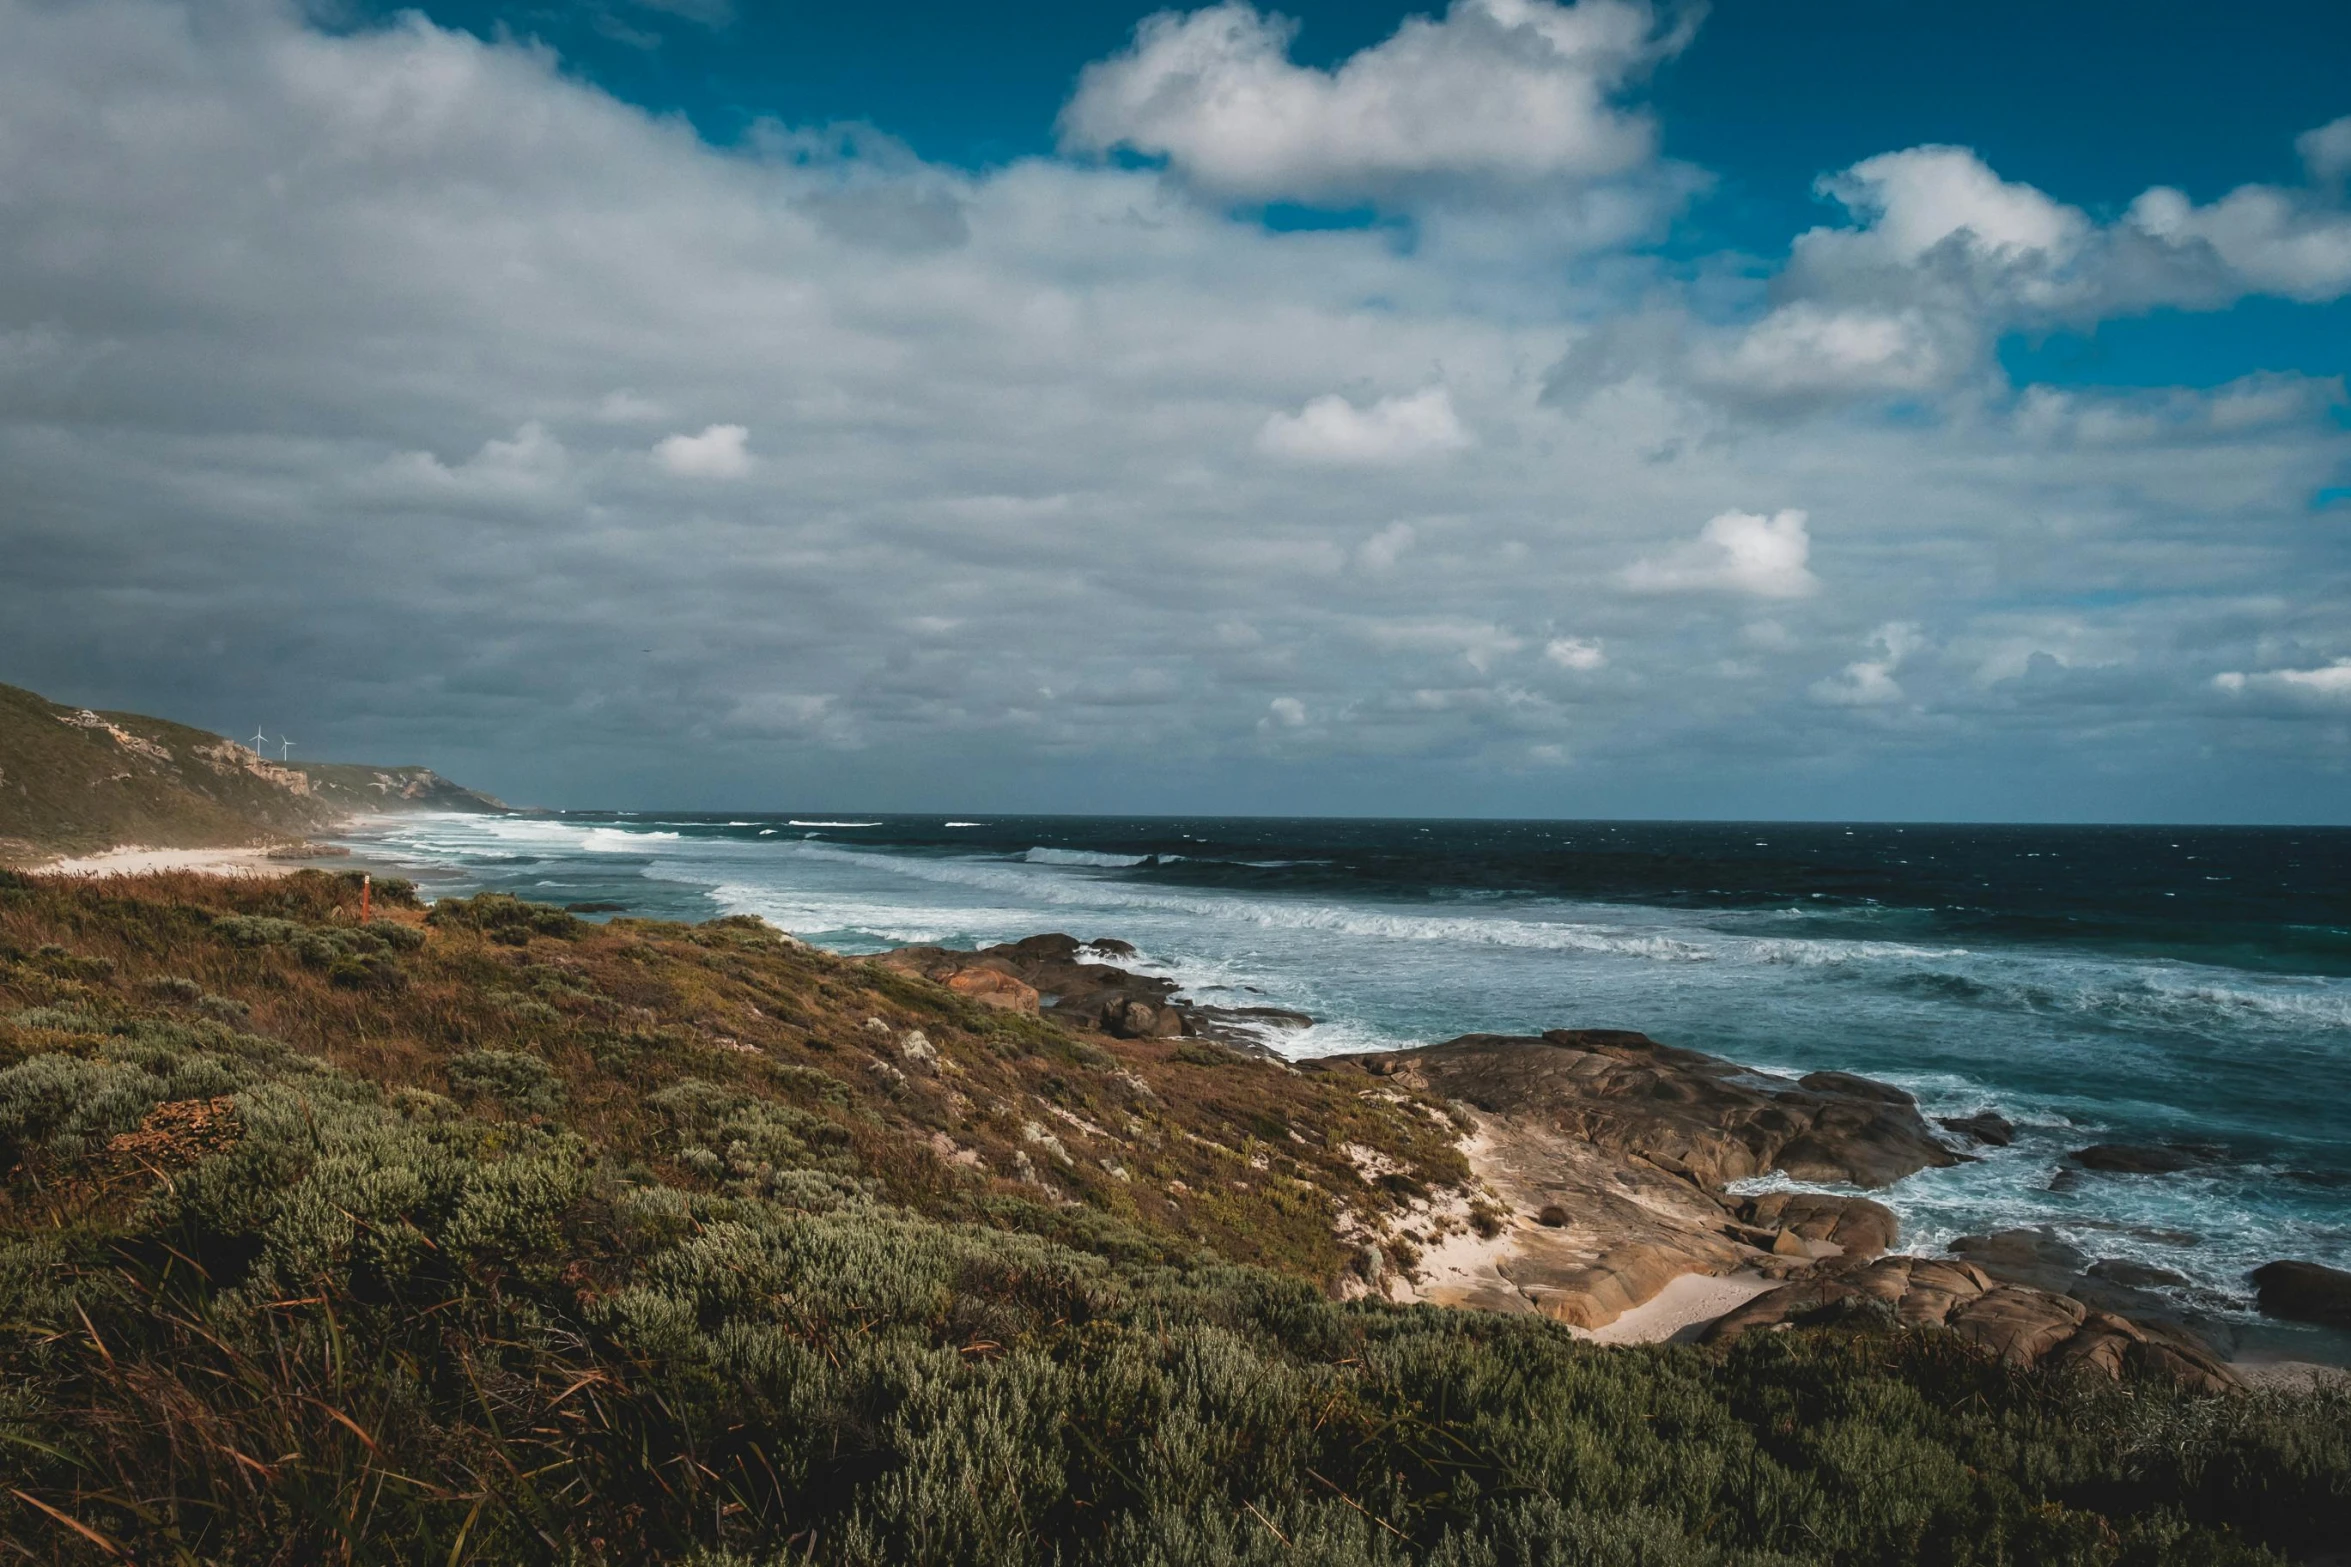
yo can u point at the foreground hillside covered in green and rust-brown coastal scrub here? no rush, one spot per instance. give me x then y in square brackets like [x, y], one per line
[502, 1237]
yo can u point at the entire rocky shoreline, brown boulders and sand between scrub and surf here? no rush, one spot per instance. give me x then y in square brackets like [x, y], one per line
[1605, 1185]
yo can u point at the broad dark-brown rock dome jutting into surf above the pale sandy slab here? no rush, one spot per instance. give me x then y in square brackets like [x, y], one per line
[1684, 1112]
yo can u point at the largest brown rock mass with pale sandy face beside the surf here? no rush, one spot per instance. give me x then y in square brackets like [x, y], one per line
[1637, 1145]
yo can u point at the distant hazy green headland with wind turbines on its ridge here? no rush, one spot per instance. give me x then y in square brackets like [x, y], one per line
[76, 781]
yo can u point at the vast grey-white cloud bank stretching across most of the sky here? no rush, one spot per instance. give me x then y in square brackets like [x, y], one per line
[323, 344]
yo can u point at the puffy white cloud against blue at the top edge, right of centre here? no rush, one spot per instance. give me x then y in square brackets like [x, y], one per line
[1496, 90]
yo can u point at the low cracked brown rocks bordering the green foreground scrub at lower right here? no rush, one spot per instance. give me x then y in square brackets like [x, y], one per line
[2016, 1324]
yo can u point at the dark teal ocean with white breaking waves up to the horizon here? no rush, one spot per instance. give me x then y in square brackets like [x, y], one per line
[2162, 986]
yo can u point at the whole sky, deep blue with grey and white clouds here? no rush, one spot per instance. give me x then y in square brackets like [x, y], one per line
[1767, 410]
